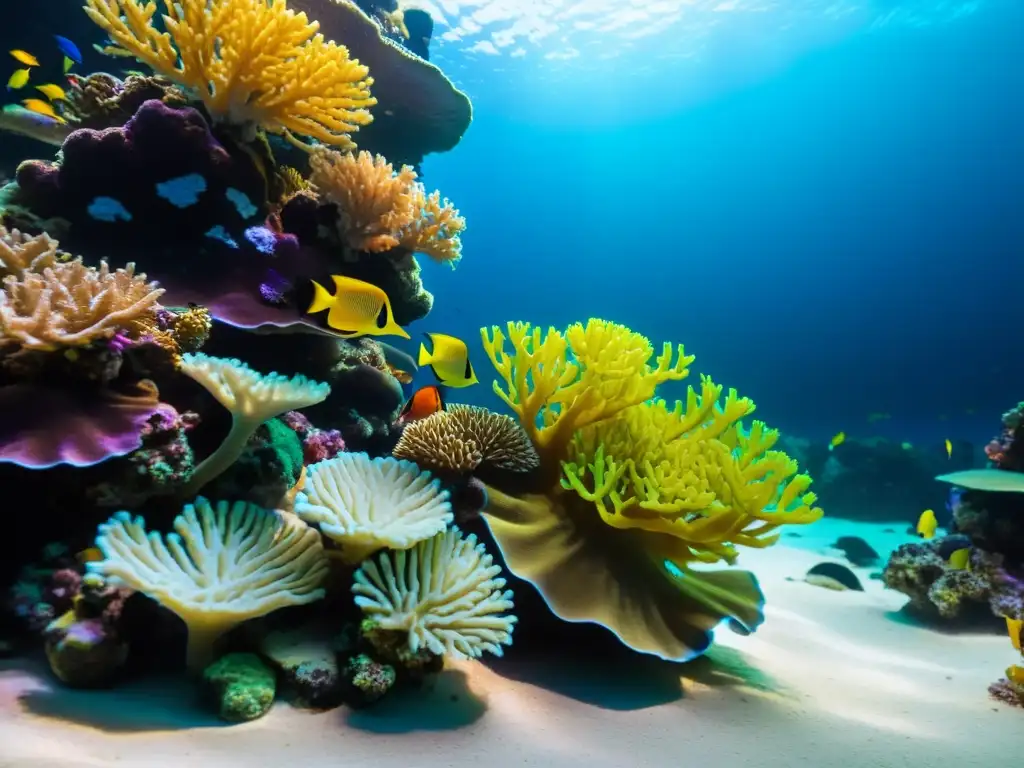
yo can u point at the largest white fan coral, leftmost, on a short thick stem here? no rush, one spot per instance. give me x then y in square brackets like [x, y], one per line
[223, 566]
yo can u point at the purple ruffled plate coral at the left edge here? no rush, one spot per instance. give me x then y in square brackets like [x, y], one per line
[46, 426]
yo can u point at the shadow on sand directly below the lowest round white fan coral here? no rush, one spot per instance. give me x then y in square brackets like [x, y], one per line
[444, 703]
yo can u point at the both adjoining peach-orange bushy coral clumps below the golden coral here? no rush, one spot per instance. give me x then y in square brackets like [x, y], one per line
[381, 209]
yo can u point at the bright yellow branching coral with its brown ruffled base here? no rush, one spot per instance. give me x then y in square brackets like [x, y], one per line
[633, 494]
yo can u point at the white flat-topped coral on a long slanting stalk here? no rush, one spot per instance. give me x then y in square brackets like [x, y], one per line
[252, 399]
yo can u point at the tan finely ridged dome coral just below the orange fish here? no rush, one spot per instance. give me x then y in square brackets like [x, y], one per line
[463, 438]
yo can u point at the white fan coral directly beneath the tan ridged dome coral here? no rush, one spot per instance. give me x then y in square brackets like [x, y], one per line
[367, 504]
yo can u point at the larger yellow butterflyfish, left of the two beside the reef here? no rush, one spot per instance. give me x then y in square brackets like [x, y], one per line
[357, 309]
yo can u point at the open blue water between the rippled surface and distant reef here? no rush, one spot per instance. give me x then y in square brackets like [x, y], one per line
[839, 235]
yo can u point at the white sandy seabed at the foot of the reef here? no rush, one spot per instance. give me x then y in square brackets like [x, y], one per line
[832, 679]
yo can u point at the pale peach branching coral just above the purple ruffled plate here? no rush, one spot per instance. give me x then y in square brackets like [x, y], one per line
[71, 305]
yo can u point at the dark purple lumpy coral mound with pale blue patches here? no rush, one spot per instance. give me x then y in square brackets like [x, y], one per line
[163, 172]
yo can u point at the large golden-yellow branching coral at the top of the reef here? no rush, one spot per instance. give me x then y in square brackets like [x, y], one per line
[252, 63]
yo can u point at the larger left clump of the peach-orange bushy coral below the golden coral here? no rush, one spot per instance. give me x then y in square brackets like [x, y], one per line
[375, 203]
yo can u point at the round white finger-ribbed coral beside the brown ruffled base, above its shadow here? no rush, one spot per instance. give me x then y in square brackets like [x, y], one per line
[445, 593]
